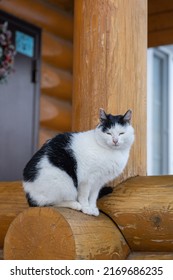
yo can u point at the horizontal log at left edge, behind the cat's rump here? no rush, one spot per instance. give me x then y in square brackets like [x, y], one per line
[12, 202]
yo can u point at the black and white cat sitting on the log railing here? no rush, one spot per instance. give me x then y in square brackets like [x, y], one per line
[71, 168]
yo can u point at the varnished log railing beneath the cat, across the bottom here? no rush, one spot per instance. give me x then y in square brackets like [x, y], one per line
[135, 223]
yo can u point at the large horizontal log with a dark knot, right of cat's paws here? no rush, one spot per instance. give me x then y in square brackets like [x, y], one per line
[142, 207]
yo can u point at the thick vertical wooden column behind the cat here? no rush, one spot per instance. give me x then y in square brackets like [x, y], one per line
[110, 43]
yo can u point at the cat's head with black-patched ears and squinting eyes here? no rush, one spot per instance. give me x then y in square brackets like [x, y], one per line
[115, 132]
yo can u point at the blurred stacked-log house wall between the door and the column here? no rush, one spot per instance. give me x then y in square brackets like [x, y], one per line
[55, 18]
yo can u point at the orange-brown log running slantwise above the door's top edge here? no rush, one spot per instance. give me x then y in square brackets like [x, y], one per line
[42, 15]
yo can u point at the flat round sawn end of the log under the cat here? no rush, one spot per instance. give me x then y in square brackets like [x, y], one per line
[39, 233]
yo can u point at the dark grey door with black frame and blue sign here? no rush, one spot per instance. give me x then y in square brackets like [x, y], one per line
[19, 100]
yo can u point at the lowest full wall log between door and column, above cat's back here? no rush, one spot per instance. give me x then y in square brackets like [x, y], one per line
[55, 114]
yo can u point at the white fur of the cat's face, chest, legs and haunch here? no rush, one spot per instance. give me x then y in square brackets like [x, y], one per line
[100, 159]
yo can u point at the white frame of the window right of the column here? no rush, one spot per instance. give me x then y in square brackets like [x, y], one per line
[168, 50]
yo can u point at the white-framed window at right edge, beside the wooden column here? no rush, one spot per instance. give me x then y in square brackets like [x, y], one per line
[160, 111]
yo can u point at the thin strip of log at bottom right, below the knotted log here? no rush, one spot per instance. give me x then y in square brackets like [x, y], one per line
[150, 256]
